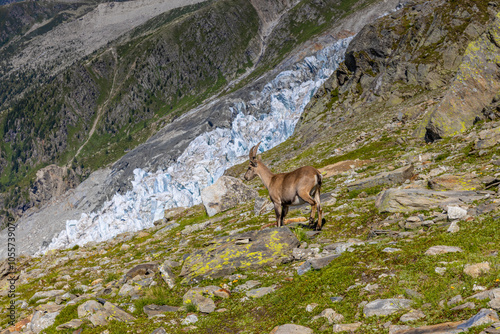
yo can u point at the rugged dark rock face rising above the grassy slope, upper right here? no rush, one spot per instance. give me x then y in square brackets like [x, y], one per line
[413, 61]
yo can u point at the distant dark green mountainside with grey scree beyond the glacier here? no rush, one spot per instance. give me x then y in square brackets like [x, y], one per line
[82, 106]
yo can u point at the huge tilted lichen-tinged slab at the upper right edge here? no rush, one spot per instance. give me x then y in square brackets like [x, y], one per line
[473, 88]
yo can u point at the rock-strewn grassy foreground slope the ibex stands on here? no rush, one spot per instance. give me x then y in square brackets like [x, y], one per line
[409, 245]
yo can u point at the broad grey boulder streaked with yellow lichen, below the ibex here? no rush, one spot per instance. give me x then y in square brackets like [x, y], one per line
[223, 256]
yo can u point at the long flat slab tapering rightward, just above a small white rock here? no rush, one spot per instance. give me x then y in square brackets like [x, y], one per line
[407, 200]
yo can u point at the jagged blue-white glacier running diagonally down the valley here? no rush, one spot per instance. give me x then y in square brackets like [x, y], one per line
[281, 102]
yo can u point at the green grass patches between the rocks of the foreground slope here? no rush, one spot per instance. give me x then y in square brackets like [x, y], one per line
[394, 272]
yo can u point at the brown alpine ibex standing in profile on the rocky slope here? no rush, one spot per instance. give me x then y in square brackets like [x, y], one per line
[286, 189]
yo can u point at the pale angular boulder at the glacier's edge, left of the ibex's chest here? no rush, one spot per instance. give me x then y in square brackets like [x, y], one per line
[226, 193]
